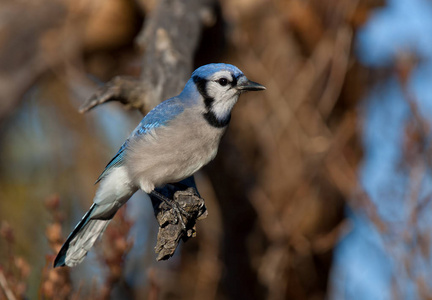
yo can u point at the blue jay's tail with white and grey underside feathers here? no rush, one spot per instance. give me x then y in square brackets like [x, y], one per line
[81, 240]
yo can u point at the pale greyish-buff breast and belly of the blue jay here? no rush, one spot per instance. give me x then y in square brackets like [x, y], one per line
[172, 153]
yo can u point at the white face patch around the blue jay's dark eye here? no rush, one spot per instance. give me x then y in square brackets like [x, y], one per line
[221, 86]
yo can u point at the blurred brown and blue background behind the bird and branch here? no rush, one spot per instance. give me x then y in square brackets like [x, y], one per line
[322, 186]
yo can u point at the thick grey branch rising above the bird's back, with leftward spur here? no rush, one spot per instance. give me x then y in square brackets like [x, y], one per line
[168, 40]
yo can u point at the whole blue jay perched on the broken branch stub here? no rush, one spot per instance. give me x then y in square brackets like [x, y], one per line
[172, 142]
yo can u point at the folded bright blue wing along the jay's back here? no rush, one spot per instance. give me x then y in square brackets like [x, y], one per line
[158, 116]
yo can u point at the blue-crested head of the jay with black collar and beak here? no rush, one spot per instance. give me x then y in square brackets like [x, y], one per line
[220, 85]
